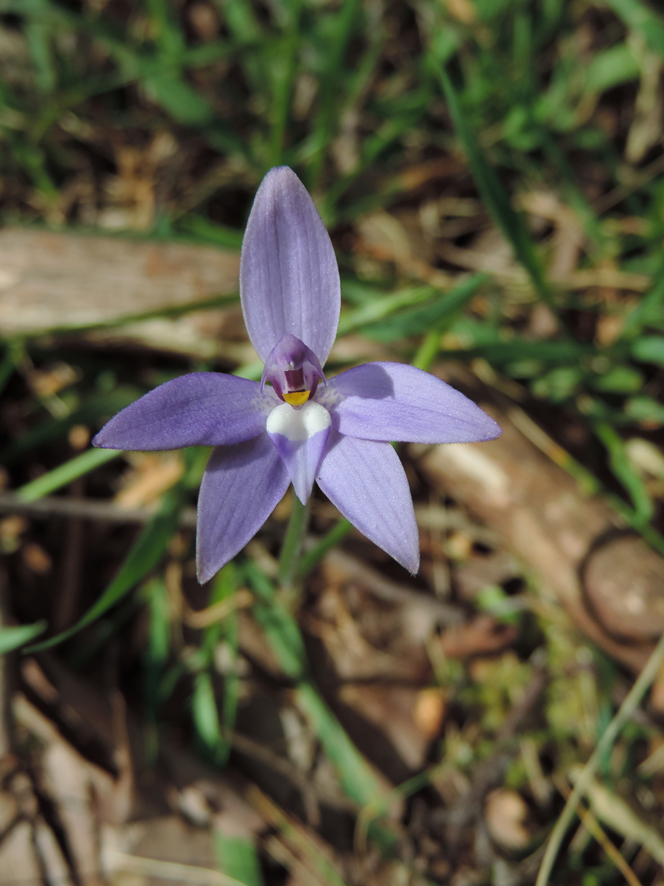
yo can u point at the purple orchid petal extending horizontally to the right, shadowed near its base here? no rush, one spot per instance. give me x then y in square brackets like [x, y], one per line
[394, 401]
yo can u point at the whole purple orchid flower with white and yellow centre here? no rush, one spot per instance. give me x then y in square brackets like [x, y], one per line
[296, 426]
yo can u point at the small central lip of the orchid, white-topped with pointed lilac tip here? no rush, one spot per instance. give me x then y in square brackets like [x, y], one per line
[300, 437]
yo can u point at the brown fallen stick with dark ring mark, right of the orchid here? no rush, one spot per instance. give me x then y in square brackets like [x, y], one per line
[608, 579]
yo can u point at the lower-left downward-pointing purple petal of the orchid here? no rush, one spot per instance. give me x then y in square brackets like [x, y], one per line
[241, 487]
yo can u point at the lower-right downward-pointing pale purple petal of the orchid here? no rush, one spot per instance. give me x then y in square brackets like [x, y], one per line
[366, 482]
